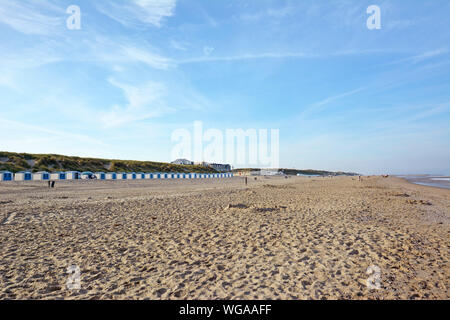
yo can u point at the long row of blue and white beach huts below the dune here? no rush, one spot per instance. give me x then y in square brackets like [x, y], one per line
[75, 175]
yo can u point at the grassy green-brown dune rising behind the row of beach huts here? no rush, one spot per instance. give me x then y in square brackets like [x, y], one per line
[16, 162]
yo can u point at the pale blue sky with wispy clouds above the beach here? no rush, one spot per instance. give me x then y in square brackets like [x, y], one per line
[343, 97]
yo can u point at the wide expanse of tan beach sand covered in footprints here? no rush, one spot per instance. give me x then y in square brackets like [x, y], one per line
[296, 238]
